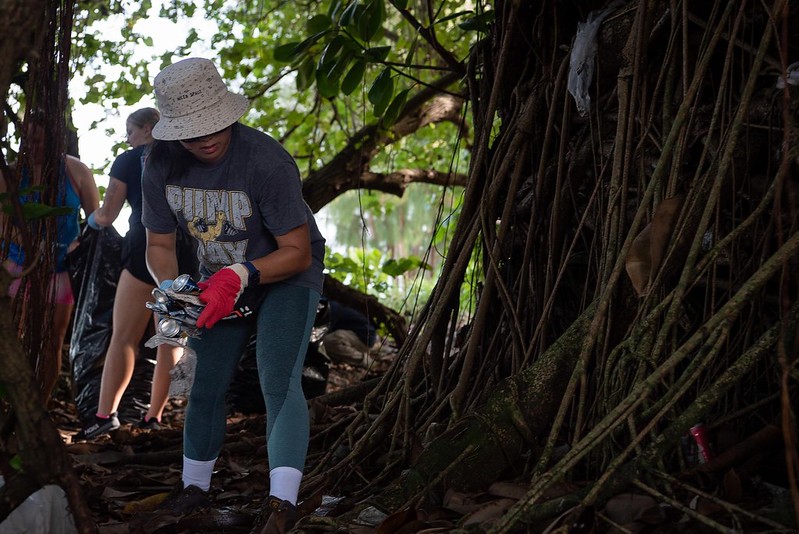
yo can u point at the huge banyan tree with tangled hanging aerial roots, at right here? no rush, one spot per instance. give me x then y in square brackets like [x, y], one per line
[627, 242]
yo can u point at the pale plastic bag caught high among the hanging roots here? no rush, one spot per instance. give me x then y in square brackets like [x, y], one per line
[583, 54]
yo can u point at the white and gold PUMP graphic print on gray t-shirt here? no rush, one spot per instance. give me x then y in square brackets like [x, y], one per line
[215, 218]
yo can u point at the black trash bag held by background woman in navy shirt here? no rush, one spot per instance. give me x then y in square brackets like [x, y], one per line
[94, 268]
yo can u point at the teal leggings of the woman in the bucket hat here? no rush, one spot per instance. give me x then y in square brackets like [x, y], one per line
[283, 325]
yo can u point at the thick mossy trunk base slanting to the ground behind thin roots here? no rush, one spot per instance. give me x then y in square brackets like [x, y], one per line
[486, 445]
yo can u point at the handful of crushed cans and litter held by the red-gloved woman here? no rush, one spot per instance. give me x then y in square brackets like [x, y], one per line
[178, 308]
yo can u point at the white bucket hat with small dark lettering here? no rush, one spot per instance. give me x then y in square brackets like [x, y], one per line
[194, 101]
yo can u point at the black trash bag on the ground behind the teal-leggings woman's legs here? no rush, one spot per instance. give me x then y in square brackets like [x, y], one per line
[244, 395]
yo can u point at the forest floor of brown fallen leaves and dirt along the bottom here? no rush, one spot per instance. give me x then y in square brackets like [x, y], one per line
[125, 476]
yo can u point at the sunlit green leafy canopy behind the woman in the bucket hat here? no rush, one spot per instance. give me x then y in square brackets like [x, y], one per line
[316, 74]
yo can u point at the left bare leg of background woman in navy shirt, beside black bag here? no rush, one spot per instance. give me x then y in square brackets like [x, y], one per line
[130, 322]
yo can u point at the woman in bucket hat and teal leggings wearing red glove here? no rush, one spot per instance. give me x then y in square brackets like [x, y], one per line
[239, 194]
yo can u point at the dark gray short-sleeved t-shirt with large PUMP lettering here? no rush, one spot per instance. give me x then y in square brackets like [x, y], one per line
[236, 206]
